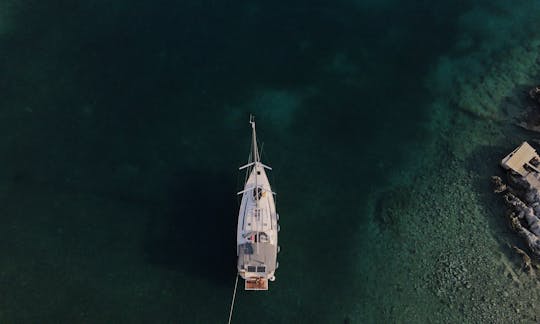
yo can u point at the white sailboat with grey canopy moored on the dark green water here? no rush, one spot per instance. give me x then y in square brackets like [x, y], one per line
[257, 234]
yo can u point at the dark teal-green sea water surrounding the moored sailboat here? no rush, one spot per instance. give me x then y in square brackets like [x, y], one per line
[124, 124]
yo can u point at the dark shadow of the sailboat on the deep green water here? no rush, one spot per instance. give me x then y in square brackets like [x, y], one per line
[197, 232]
